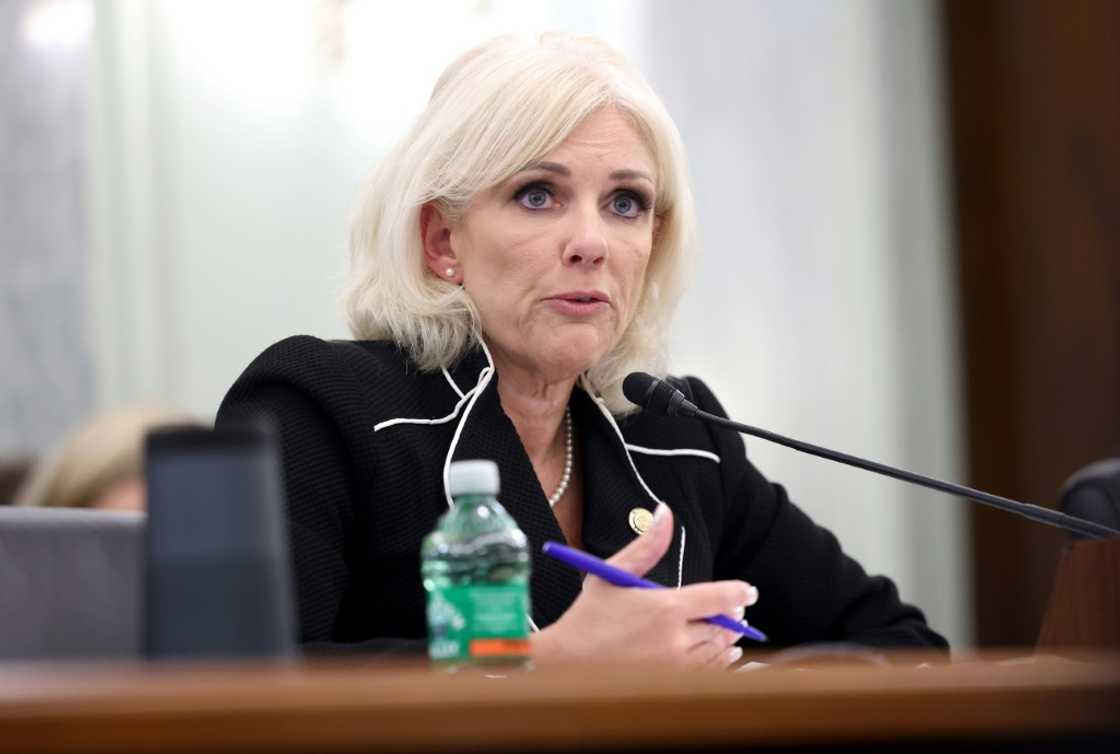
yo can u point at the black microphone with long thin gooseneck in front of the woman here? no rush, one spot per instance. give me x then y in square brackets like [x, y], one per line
[659, 397]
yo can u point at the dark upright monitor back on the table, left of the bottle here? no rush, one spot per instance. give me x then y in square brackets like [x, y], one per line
[218, 571]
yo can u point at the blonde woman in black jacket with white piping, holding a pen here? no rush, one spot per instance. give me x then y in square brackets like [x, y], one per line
[516, 257]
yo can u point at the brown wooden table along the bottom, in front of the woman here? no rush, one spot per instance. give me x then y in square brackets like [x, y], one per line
[377, 706]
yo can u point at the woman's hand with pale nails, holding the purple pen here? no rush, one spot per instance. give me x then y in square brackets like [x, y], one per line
[620, 625]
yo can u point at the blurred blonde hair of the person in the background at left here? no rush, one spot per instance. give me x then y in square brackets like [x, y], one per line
[97, 455]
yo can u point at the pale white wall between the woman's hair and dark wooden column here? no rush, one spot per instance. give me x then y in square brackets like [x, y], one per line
[824, 306]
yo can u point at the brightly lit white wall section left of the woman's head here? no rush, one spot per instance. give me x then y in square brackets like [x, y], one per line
[231, 141]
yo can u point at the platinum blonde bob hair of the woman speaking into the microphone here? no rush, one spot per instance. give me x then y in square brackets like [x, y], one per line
[494, 111]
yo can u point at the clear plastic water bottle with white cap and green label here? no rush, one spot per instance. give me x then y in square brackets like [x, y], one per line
[475, 569]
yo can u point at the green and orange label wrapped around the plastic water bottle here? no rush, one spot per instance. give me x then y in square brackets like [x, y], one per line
[479, 622]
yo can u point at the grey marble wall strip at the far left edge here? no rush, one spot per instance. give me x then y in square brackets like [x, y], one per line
[46, 365]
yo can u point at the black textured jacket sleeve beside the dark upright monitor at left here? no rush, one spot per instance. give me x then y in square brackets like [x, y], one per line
[319, 486]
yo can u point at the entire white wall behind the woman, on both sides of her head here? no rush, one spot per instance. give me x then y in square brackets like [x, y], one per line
[231, 141]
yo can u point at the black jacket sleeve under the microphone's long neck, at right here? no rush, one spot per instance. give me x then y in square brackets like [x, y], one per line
[809, 590]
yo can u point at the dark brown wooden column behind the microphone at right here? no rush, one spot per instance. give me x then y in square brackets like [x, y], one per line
[1034, 101]
